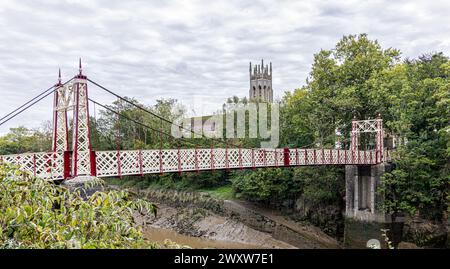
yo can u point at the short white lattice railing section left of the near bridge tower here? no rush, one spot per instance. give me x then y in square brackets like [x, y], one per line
[45, 165]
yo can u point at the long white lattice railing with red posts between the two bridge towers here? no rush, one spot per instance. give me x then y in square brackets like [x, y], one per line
[135, 162]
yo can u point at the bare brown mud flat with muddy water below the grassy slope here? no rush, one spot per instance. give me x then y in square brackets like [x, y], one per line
[199, 228]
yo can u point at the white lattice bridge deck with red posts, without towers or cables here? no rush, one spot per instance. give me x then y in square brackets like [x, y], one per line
[139, 162]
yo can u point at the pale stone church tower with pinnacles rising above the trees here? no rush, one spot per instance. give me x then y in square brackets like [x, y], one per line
[261, 83]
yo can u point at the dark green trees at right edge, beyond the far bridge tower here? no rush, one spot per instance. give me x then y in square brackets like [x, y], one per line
[421, 179]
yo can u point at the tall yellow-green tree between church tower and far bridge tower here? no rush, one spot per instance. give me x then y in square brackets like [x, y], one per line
[339, 84]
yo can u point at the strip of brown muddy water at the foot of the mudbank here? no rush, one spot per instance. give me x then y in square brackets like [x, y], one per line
[159, 235]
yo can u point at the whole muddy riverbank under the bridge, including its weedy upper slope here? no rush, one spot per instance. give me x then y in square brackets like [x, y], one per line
[199, 220]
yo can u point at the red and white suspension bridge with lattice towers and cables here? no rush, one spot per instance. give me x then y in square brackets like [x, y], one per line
[64, 161]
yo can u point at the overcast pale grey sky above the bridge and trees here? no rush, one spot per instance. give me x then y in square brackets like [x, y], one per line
[178, 49]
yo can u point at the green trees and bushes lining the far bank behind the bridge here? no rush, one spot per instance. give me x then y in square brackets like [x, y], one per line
[355, 78]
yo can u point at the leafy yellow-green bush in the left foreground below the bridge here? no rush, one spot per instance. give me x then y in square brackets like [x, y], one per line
[39, 214]
